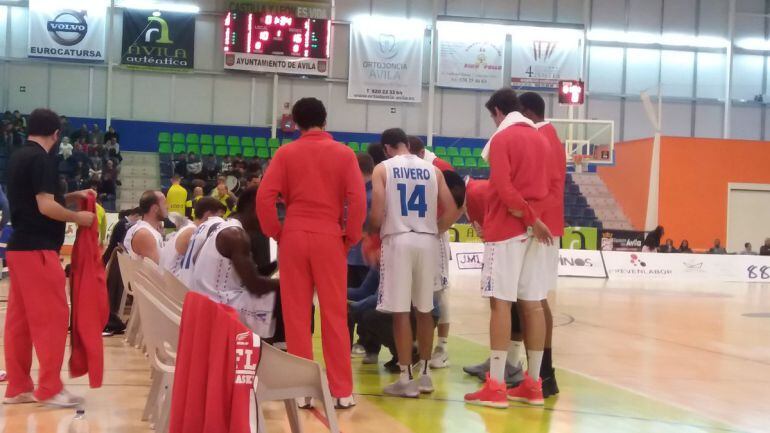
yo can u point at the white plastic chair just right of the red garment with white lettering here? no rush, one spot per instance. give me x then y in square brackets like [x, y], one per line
[282, 376]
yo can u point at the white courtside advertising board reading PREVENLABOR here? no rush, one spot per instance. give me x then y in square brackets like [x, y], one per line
[657, 266]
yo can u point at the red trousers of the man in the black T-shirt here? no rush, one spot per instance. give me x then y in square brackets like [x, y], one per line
[37, 317]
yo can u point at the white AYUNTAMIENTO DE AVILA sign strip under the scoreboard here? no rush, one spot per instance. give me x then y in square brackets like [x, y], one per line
[276, 64]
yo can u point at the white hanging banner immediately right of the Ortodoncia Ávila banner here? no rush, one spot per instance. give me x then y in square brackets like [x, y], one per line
[470, 55]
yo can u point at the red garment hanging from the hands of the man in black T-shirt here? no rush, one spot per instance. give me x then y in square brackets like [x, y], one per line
[90, 307]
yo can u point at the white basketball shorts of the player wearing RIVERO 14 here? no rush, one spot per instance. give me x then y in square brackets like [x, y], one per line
[409, 272]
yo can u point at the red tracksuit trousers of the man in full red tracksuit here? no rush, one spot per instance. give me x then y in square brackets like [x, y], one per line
[308, 261]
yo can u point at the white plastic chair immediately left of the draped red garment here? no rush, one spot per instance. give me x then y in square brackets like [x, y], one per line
[161, 327]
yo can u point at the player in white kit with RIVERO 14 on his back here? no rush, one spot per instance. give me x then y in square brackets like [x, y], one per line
[406, 195]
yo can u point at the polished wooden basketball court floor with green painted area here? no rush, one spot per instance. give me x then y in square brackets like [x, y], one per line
[631, 357]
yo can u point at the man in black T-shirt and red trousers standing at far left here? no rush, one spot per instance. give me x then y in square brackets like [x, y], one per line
[38, 315]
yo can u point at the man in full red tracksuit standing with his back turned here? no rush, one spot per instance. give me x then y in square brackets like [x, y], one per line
[323, 189]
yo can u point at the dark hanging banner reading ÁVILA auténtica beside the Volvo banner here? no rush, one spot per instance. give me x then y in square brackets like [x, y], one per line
[158, 40]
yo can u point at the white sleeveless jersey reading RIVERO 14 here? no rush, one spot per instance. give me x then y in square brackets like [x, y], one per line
[411, 196]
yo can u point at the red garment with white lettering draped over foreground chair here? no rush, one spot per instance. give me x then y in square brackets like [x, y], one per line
[215, 371]
